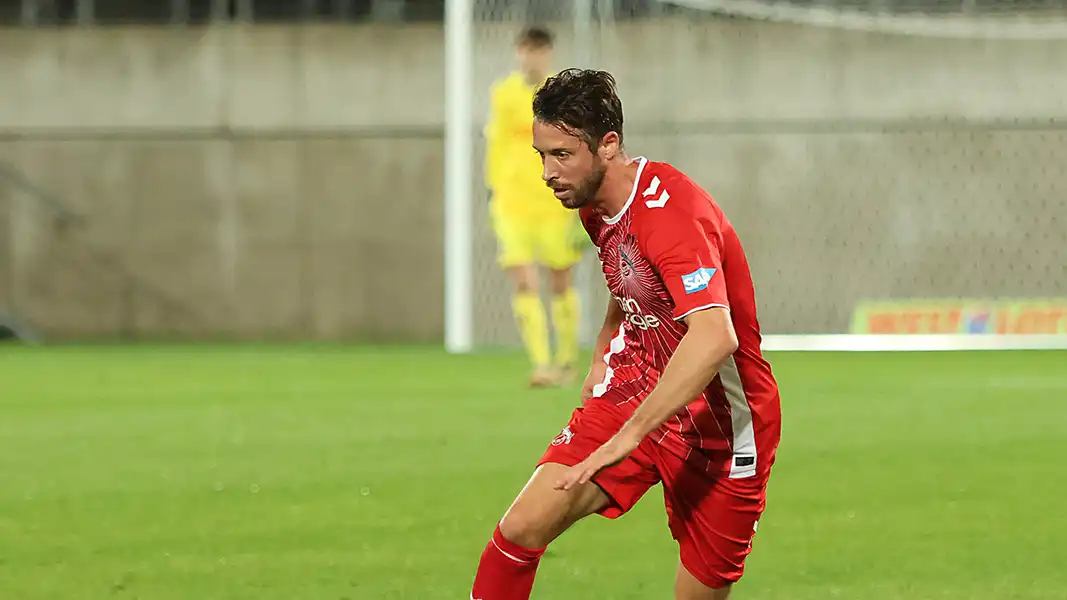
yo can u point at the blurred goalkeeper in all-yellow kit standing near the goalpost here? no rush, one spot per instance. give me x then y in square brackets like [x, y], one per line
[532, 228]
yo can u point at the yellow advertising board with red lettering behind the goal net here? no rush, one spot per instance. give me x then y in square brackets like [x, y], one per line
[962, 317]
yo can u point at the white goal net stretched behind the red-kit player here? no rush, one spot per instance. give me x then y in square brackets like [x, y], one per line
[891, 167]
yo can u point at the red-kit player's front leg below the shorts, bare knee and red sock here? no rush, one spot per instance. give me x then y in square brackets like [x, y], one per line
[535, 519]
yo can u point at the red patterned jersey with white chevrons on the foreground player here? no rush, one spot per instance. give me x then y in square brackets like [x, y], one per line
[670, 254]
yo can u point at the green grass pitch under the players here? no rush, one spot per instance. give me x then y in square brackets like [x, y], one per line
[330, 473]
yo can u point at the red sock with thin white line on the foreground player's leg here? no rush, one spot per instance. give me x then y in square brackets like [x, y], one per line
[506, 571]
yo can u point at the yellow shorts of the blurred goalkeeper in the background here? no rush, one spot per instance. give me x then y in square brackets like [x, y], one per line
[553, 243]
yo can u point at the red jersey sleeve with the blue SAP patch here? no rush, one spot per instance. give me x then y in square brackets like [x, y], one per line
[687, 249]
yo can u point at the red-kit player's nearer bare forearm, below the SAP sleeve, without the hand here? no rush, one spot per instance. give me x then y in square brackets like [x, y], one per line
[697, 360]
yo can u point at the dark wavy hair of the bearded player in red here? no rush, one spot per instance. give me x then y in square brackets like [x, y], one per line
[583, 103]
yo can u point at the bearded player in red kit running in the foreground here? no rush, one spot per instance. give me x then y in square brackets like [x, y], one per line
[679, 393]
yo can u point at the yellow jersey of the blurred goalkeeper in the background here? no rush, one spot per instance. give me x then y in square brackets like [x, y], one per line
[513, 166]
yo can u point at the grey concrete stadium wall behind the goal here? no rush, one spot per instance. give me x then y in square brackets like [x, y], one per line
[288, 181]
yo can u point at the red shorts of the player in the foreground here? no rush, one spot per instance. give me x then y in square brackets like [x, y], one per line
[713, 517]
